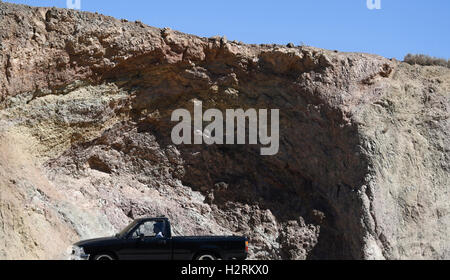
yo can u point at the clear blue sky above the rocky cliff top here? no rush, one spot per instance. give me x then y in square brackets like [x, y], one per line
[400, 27]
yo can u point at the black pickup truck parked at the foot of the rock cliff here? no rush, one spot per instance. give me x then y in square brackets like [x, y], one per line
[151, 239]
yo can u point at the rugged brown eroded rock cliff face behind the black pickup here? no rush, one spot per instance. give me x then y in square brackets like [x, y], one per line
[86, 100]
